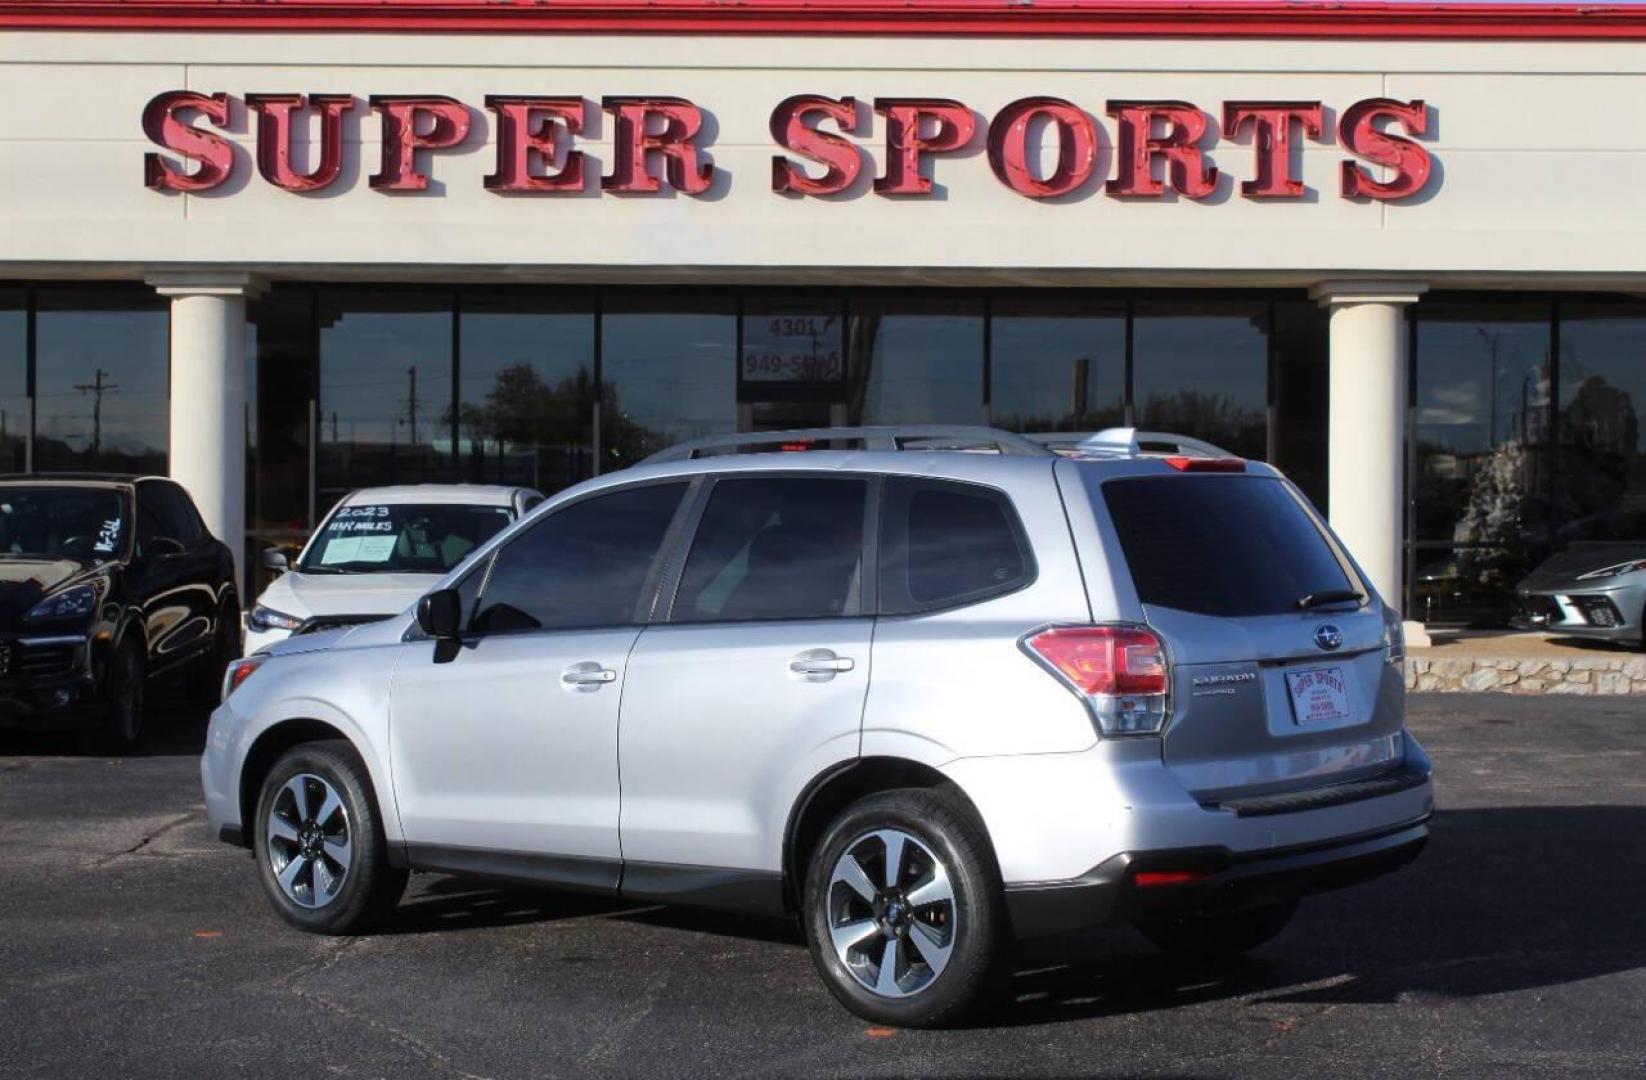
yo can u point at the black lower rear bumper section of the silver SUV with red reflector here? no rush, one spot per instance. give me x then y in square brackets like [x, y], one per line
[1206, 880]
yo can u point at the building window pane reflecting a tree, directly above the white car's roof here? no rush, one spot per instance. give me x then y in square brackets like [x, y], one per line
[528, 391]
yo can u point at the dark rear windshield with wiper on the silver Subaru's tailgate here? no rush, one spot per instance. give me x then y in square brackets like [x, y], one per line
[1221, 546]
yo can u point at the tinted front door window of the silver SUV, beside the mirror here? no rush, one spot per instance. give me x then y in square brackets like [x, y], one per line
[582, 567]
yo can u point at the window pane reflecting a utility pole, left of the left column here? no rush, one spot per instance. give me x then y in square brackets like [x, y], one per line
[101, 376]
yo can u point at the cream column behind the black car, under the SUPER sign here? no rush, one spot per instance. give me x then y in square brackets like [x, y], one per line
[208, 398]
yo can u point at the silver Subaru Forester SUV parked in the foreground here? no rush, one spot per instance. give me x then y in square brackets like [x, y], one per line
[928, 701]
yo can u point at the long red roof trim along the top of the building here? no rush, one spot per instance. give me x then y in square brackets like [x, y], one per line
[1095, 19]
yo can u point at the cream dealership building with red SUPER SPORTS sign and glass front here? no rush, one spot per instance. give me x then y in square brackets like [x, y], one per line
[281, 249]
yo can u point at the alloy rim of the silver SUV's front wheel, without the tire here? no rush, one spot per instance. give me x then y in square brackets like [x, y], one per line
[310, 842]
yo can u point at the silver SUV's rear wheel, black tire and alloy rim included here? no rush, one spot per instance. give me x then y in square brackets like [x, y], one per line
[904, 910]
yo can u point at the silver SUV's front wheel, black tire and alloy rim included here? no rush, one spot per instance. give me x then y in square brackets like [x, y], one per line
[320, 842]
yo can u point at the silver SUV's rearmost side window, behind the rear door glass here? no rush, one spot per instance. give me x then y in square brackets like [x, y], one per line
[947, 544]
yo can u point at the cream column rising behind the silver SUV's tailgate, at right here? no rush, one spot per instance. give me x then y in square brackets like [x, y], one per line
[1367, 417]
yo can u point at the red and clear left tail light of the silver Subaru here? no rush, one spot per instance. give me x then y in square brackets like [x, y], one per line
[1120, 671]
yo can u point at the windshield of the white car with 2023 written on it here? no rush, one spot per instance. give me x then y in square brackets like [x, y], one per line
[402, 538]
